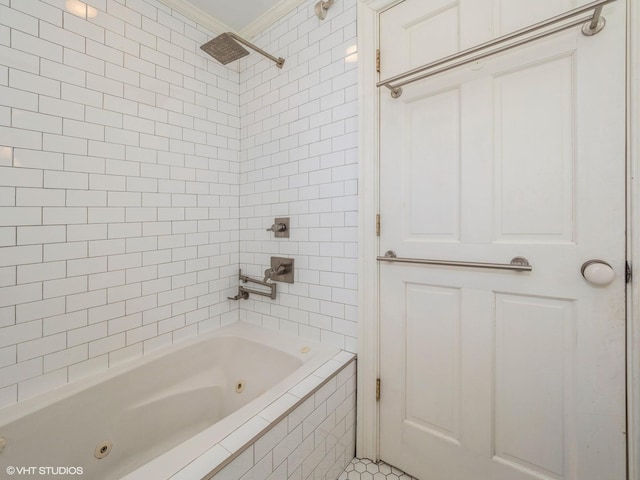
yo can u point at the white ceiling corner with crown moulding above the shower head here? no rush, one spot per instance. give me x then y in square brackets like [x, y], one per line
[246, 17]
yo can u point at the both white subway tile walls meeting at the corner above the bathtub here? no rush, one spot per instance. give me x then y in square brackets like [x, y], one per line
[137, 175]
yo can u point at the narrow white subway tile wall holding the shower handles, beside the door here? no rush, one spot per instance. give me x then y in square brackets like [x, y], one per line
[299, 159]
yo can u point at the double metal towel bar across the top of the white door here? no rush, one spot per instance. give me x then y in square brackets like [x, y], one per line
[591, 25]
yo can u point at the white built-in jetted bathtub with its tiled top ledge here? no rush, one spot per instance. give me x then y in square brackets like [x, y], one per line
[186, 411]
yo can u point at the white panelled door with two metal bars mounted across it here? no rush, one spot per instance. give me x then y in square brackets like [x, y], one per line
[489, 374]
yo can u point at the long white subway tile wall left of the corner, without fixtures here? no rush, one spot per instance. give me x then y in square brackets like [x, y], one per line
[119, 187]
